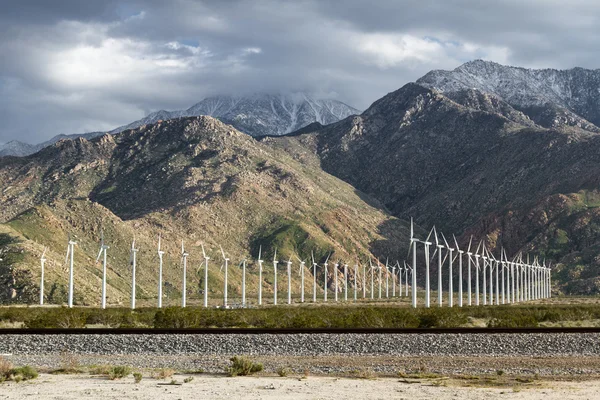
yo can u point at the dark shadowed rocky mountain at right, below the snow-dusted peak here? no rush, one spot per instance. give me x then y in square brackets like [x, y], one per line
[472, 164]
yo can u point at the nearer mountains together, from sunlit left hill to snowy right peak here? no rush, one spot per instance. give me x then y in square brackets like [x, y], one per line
[465, 150]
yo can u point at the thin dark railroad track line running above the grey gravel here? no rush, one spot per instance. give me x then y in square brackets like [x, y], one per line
[286, 331]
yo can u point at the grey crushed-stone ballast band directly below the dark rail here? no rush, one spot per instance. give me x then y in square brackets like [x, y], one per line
[543, 344]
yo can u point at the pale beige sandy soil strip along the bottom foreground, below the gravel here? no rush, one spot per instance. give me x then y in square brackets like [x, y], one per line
[219, 387]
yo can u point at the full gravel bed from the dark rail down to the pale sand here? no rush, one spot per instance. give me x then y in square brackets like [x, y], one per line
[560, 354]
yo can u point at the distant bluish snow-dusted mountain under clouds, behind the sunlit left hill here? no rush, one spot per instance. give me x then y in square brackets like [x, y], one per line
[256, 114]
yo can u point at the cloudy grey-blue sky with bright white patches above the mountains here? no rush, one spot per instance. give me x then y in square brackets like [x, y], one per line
[71, 66]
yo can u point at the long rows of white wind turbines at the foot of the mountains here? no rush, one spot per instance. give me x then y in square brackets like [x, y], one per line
[489, 280]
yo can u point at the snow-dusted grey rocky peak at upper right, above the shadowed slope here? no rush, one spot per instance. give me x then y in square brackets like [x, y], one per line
[552, 98]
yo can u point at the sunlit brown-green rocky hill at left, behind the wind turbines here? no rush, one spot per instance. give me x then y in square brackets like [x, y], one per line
[193, 179]
